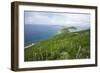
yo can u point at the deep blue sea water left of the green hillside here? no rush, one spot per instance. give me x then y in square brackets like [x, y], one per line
[35, 33]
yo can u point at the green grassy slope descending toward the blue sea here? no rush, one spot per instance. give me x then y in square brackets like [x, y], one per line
[72, 45]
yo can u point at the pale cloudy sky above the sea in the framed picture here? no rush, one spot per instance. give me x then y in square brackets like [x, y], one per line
[57, 18]
